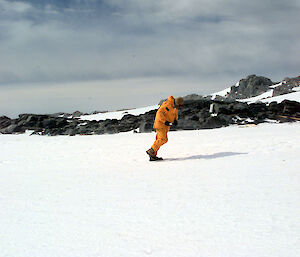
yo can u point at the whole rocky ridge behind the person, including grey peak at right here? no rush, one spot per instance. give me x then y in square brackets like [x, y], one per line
[199, 112]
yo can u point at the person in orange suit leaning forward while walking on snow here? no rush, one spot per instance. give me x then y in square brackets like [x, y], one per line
[166, 116]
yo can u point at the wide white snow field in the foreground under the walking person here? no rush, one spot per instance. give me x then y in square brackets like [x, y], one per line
[225, 192]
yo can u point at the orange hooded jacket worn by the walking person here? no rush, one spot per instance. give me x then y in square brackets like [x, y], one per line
[166, 112]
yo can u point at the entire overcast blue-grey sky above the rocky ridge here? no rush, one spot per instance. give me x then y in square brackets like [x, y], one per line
[87, 55]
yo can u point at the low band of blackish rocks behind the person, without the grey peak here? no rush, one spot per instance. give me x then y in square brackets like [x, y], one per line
[196, 114]
